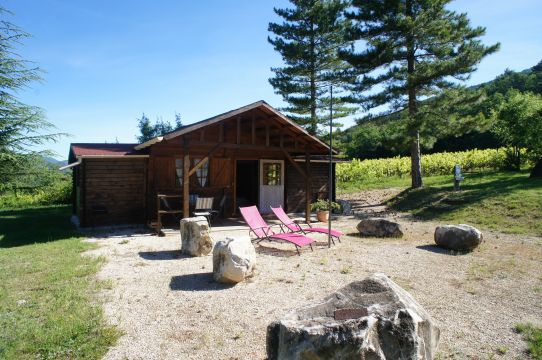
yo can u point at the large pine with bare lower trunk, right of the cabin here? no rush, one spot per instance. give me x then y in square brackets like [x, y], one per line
[414, 49]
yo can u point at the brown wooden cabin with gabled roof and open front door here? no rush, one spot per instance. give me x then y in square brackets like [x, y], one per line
[253, 155]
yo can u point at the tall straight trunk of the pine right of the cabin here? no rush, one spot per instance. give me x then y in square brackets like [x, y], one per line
[414, 132]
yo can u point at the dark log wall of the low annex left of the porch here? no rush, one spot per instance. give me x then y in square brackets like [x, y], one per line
[113, 191]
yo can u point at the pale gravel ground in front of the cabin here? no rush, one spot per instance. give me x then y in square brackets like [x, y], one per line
[169, 308]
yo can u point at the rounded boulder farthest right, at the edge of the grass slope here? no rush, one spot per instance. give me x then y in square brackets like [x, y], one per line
[458, 237]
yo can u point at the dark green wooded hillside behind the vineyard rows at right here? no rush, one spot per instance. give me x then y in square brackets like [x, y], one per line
[382, 136]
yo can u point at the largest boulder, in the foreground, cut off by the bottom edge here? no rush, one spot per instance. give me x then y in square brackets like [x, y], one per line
[369, 319]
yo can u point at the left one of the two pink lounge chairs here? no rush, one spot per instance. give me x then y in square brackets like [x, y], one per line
[262, 231]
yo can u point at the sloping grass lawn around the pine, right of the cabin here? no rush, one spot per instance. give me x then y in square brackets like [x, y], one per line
[509, 202]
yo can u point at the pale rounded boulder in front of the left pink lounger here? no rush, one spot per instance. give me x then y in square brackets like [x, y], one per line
[234, 259]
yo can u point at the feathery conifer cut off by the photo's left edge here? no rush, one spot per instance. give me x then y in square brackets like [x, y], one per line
[22, 127]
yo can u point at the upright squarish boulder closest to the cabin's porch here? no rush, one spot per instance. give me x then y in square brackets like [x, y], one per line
[195, 238]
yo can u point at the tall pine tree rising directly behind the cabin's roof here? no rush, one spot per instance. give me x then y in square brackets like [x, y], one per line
[309, 40]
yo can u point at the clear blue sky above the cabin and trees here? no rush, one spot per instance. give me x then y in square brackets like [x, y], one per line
[106, 62]
